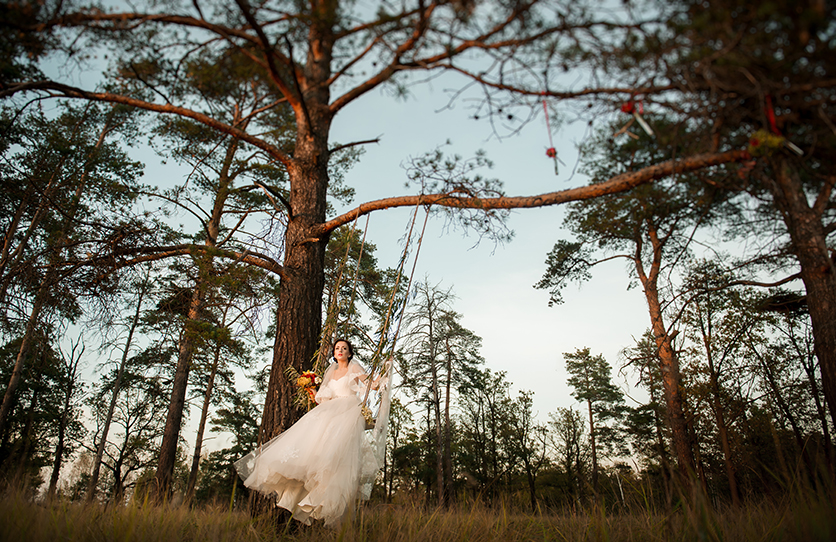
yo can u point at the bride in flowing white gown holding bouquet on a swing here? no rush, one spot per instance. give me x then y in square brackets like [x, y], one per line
[316, 468]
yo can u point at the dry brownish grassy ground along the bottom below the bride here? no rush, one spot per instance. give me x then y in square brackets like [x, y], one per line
[806, 517]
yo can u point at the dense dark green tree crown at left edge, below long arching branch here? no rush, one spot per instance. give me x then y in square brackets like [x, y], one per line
[68, 186]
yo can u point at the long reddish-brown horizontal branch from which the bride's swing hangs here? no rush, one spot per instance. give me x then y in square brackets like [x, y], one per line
[619, 183]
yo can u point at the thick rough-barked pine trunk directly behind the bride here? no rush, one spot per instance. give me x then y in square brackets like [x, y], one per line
[299, 310]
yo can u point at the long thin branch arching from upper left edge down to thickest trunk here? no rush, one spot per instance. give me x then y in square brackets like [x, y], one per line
[67, 91]
